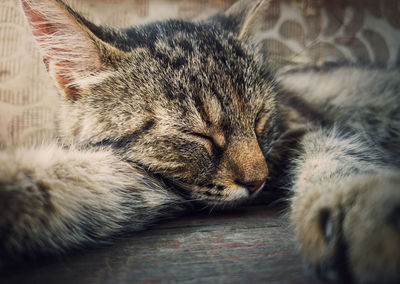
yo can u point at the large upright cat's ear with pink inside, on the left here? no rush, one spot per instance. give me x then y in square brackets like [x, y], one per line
[74, 56]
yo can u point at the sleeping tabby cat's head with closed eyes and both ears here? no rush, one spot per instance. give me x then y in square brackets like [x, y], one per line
[189, 102]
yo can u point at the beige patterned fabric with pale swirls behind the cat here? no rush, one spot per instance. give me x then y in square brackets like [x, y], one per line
[294, 31]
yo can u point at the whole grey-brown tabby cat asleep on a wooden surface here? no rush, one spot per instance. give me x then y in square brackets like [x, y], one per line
[165, 118]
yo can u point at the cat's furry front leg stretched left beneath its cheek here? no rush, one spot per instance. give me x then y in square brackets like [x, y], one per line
[54, 199]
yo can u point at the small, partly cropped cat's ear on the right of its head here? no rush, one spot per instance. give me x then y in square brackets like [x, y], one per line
[244, 17]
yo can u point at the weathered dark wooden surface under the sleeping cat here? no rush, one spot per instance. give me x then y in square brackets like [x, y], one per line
[251, 245]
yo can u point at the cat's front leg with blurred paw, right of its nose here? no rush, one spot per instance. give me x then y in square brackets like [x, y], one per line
[345, 209]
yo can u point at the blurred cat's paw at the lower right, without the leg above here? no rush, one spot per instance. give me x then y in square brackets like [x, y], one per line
[350, 231]
